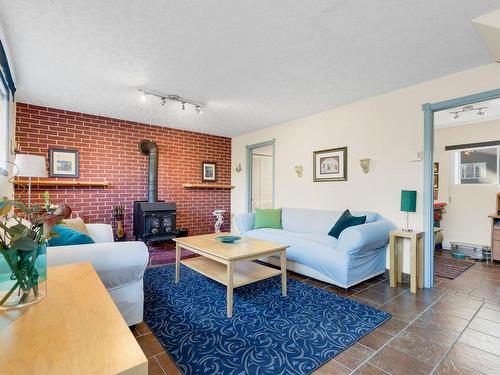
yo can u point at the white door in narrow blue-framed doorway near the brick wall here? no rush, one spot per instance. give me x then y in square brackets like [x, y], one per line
[260, 175]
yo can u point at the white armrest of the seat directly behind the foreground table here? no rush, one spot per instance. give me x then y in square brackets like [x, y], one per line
[117, 263]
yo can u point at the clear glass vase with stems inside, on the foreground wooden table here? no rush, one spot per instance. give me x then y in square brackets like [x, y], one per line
[23, 277]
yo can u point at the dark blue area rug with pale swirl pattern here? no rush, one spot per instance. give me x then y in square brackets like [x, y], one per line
[268, 334]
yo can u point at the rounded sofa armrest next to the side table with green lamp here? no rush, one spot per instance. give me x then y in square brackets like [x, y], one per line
[368, 236]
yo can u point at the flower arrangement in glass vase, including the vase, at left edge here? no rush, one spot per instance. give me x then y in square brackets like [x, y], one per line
[23, 234]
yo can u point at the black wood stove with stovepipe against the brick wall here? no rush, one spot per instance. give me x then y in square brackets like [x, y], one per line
[153, 220]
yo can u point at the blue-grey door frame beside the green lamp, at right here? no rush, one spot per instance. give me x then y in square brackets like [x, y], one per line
[429, 109]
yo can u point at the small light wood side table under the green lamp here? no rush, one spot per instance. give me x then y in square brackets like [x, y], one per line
[416, 254]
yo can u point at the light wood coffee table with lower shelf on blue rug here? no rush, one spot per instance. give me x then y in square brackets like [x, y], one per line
[230, 264]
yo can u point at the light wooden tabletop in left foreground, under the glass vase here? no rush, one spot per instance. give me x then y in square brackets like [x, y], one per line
[75, 329]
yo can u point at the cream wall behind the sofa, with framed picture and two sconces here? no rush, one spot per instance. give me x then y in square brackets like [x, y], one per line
[387, 129]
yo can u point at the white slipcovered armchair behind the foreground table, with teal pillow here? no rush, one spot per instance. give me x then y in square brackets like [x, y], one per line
[120, 265]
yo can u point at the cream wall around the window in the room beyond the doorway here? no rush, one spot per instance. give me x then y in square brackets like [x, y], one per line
[466, 218]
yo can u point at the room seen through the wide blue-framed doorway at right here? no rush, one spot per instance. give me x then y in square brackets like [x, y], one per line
[466, 183]
